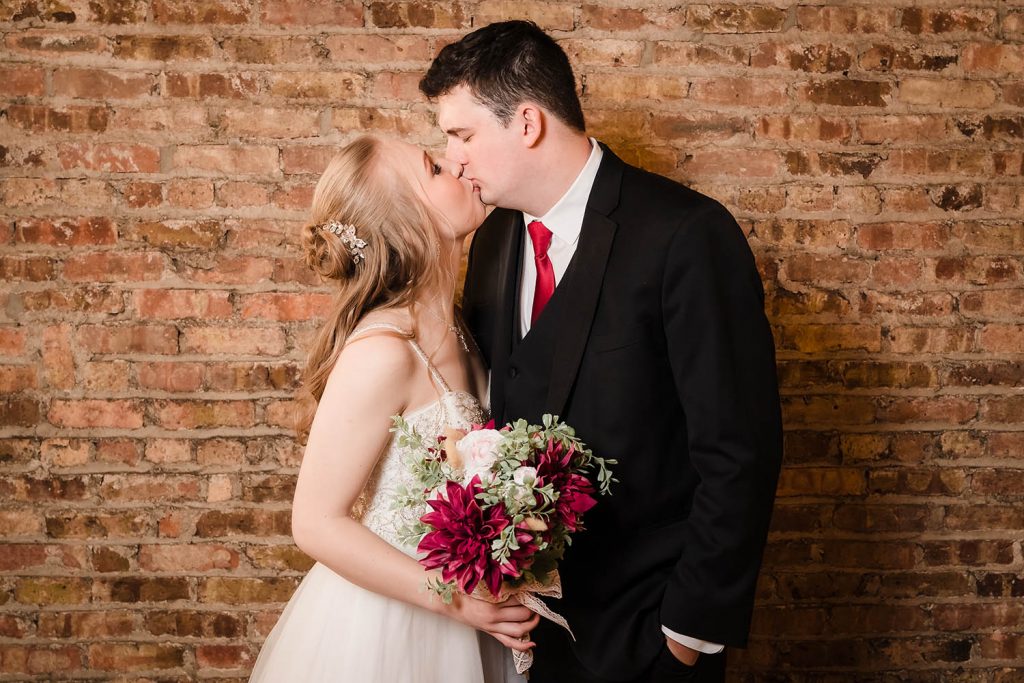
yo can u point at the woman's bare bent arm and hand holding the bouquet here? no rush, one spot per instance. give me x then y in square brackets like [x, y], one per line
[350, 433]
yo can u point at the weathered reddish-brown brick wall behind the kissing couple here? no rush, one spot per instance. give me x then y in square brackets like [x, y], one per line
[158, 156]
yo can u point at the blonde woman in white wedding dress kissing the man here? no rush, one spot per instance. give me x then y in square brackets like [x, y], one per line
[389, 224]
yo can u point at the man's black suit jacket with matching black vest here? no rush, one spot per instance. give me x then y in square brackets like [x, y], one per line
[657, 350]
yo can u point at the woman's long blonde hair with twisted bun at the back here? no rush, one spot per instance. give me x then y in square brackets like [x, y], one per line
[400, 262]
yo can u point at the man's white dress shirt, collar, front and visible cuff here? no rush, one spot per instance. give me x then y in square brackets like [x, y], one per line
[566, 221]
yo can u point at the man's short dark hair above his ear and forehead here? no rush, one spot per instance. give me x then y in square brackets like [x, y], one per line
[505, 65]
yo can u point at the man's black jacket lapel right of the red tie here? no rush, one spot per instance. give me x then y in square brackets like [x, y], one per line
[583, 282]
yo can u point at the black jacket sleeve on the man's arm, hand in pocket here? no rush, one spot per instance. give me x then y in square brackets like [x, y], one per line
[723, 363]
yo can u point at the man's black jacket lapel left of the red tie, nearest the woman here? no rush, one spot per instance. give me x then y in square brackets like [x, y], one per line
[506, 310]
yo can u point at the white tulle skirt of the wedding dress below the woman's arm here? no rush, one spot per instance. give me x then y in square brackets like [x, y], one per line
[334, 631]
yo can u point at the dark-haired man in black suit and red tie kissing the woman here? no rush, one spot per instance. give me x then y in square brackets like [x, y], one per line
[631, 307]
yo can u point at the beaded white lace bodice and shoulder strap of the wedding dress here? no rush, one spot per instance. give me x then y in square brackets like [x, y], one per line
[376, 507]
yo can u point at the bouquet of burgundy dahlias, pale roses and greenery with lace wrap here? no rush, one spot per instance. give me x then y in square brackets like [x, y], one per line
[503, 506]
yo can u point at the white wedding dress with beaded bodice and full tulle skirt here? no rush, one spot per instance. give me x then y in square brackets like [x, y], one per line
[334, 631]
